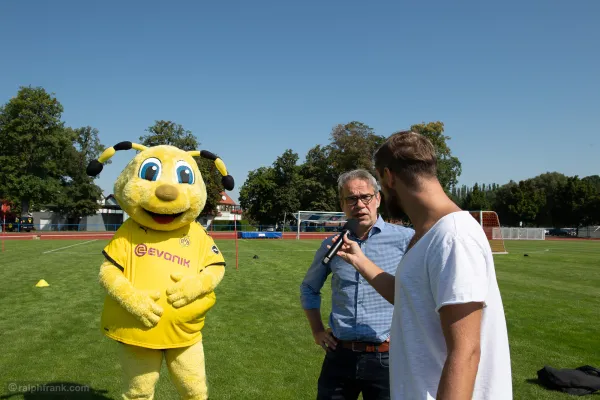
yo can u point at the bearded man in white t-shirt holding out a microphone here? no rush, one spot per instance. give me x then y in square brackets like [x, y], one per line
[449, 338]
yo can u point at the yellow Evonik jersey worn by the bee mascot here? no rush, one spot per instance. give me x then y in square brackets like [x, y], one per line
[148, 258]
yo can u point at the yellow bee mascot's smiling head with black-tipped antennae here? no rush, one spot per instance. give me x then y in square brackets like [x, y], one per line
[161, 188]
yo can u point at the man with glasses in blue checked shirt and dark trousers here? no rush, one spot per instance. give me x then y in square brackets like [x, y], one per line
[357, 343]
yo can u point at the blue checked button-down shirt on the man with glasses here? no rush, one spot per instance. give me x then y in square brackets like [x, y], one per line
[358, 312]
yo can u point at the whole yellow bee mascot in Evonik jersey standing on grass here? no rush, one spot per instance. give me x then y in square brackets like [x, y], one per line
[161, 269]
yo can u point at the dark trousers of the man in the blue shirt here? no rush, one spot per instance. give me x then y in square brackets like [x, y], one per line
[346, 373]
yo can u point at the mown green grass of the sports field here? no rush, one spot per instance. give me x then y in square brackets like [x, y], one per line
[257, 341]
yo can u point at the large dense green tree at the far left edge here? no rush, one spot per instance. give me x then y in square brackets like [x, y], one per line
[33, 148]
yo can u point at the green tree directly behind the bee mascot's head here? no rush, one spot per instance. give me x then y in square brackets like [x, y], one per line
[171, 133]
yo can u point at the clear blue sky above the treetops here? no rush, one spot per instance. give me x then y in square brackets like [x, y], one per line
[517, 84]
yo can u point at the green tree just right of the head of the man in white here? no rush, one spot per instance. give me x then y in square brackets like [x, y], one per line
[449, 167]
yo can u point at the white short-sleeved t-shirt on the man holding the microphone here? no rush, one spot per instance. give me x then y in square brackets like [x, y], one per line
[451, 264]
